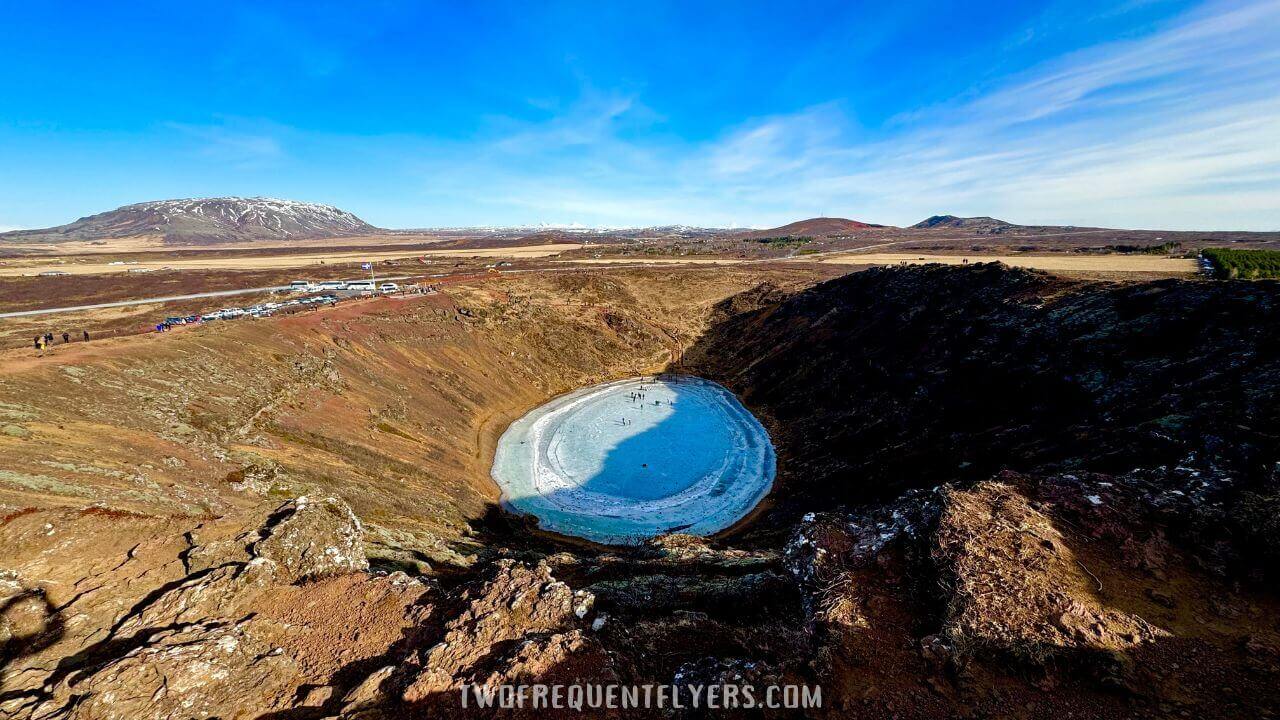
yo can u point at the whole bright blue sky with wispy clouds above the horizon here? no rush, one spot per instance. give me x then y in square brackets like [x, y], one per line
[1140, 113]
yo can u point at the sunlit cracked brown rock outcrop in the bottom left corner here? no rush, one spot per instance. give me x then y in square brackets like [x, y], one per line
[254, 622]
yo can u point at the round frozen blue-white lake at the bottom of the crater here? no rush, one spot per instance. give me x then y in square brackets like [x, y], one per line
[623, 462]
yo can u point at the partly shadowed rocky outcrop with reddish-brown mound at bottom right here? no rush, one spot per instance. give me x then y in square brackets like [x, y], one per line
[1066, 581]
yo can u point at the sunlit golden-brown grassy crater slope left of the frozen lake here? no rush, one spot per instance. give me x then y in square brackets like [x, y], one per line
[392, 404]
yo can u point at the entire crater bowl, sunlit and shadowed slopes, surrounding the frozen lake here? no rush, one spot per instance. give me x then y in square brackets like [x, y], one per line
[999, 494]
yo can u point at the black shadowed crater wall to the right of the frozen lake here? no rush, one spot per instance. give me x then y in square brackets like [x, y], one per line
[913, 377]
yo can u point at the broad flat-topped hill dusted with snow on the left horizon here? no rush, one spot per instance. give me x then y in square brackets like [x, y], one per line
[207, 222]
